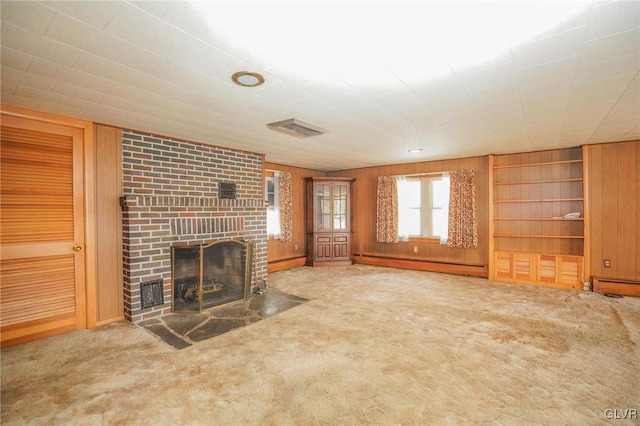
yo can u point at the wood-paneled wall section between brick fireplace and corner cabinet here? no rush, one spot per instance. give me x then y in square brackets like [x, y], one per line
[278, 251]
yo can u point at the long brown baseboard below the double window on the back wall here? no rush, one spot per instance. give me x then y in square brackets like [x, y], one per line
[480, 271]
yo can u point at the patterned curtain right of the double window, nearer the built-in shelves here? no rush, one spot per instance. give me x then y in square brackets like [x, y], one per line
[463, 226]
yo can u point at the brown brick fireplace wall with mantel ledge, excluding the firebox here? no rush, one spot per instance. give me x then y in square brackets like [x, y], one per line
[173, 195]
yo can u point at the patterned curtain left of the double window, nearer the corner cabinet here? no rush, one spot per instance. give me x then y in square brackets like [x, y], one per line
[387, 210]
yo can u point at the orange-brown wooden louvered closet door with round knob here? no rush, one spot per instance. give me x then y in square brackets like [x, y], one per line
[42, 284]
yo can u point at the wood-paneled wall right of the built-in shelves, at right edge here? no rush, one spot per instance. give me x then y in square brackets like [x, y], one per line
[613, 187]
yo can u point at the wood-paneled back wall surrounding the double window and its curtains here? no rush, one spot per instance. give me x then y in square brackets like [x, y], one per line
[364, 213]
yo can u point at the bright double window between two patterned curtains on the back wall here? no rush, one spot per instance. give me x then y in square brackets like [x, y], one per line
[423, 206]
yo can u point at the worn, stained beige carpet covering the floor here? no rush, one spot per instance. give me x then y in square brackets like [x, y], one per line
[372, 346]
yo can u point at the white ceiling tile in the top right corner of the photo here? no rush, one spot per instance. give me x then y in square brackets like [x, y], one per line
[613, 17]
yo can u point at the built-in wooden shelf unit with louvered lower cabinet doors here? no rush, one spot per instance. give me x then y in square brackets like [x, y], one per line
[531, 240]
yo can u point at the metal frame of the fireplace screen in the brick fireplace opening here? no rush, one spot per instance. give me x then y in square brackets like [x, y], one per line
[202, 289]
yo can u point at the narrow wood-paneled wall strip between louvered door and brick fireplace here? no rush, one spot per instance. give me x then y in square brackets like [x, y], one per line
[108, 181]
